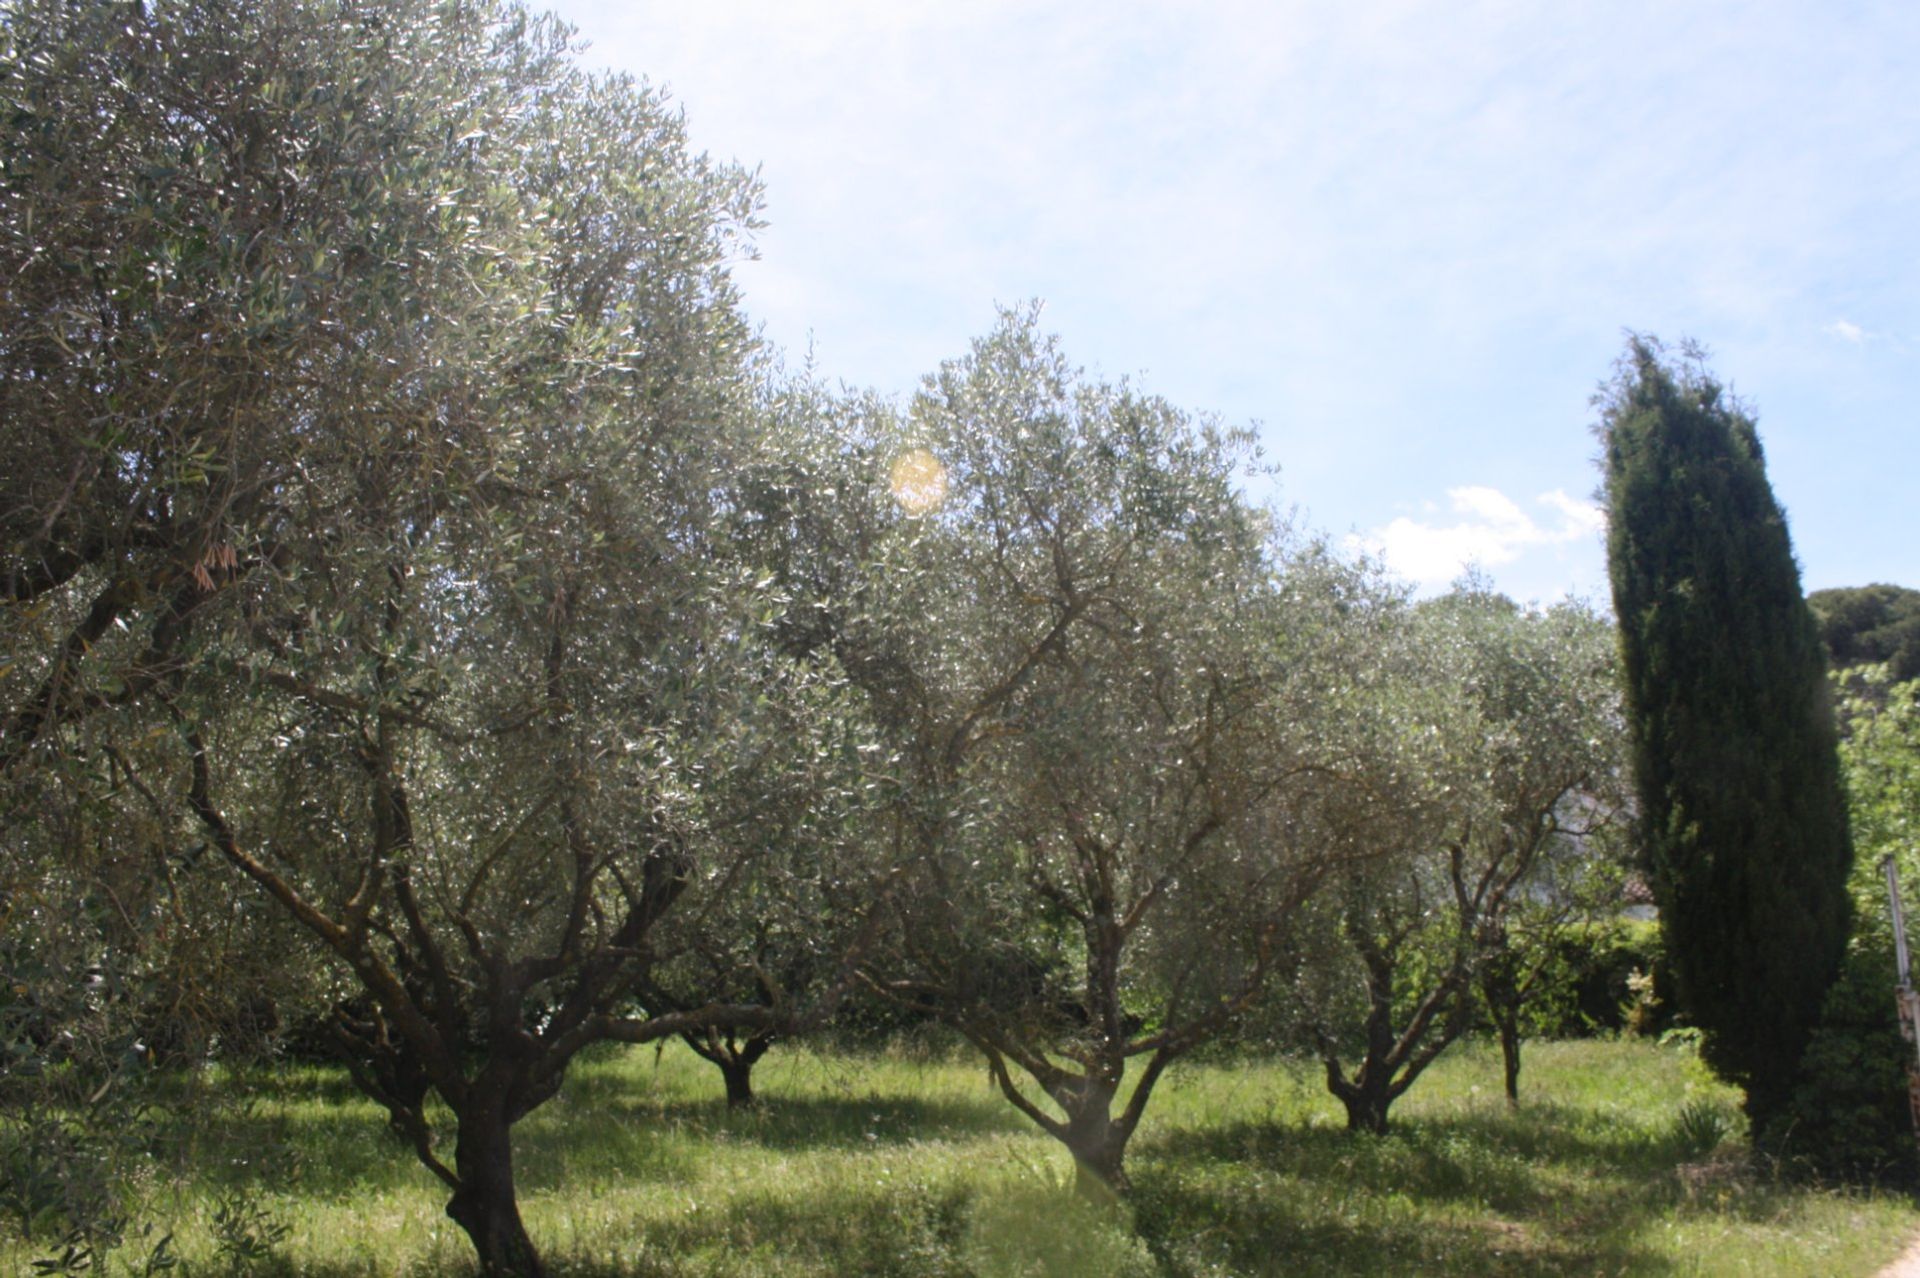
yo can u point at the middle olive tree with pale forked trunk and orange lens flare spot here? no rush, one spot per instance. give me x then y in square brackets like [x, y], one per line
[1103, 676]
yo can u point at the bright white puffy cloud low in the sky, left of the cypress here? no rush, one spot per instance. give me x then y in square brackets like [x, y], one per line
[1491, 529]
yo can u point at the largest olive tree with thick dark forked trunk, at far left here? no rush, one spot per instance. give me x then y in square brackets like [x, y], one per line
[377, 383]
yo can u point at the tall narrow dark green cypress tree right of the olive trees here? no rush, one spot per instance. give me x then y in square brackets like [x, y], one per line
[1742, 815]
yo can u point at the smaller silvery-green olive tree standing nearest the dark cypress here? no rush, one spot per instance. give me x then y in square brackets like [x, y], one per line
[1514, 788]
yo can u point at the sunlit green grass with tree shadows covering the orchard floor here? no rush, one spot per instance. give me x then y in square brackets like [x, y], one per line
[913, 1166]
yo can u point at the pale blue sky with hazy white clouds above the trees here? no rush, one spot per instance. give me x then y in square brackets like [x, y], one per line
[1403, 239]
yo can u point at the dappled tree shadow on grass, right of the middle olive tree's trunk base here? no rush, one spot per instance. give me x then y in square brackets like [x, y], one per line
[1477, 1195]
